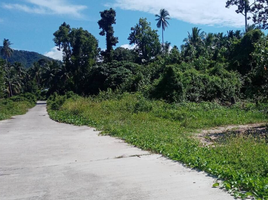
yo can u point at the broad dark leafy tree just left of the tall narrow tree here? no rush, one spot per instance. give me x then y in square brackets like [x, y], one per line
[80, 50]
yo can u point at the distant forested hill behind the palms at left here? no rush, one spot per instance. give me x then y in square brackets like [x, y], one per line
[26, 58]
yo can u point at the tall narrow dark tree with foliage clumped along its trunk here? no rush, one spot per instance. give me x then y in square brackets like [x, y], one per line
[106, 22]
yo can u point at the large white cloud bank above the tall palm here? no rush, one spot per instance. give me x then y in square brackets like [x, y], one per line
[206, 12]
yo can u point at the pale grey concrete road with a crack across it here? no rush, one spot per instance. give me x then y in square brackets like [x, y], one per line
[43, 159]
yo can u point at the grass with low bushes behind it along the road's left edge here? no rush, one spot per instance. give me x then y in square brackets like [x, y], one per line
[16, 105]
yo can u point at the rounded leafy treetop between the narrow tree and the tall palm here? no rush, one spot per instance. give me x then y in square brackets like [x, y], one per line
[146, 40]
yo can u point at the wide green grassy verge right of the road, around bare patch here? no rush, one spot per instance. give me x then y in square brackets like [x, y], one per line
[242, 163]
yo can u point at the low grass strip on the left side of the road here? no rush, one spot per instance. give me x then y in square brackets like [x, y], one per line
[9, 108]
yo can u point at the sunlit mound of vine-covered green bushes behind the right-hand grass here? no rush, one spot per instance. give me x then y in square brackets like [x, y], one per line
[181, 83]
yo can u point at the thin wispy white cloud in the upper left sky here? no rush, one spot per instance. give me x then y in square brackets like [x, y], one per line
[59, 7]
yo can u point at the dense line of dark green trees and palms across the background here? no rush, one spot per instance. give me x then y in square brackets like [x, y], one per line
[207, 67]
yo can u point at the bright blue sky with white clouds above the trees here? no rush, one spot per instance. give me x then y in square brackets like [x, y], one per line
[30, 24]
